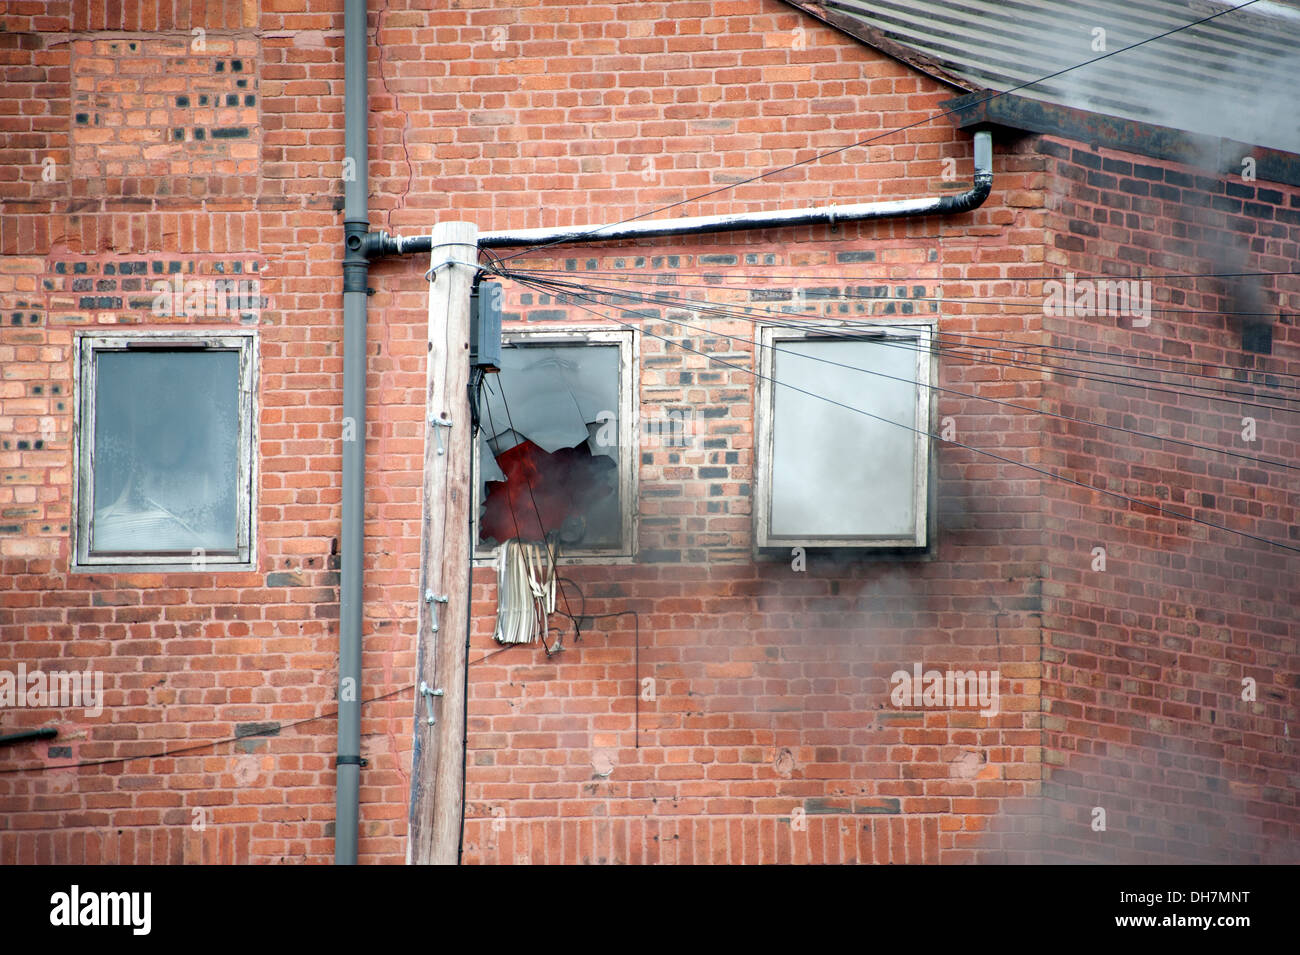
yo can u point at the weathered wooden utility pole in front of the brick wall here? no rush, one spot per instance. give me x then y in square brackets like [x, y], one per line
[439, 758]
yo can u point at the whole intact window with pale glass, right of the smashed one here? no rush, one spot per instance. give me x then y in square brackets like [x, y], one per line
[834, 477]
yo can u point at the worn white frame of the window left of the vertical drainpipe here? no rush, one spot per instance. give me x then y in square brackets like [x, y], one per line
[88, 346]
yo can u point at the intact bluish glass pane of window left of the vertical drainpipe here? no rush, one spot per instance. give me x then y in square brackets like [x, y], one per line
[167, 452]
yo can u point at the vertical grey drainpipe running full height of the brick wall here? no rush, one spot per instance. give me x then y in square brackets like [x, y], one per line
[356, 271]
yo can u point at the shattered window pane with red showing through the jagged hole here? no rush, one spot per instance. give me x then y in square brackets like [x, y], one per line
[561, 461]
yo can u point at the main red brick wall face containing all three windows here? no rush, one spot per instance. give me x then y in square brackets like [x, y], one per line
[772, 687]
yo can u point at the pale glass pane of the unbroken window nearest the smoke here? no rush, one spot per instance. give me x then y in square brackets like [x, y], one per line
[839, 472]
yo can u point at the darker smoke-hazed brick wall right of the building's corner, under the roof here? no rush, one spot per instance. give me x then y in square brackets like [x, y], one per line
[1145, 662]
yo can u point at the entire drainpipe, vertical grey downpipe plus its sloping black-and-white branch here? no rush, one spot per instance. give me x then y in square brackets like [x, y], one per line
[361, 245]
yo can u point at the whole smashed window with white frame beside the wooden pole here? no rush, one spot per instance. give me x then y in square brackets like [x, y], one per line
[557, 455]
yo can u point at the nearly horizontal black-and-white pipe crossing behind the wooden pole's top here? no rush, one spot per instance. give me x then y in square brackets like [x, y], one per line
[701, 225]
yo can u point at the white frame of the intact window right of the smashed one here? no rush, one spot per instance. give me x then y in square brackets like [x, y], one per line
[922, 333]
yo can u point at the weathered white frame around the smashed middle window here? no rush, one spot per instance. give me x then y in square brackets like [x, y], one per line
[629, 344]
